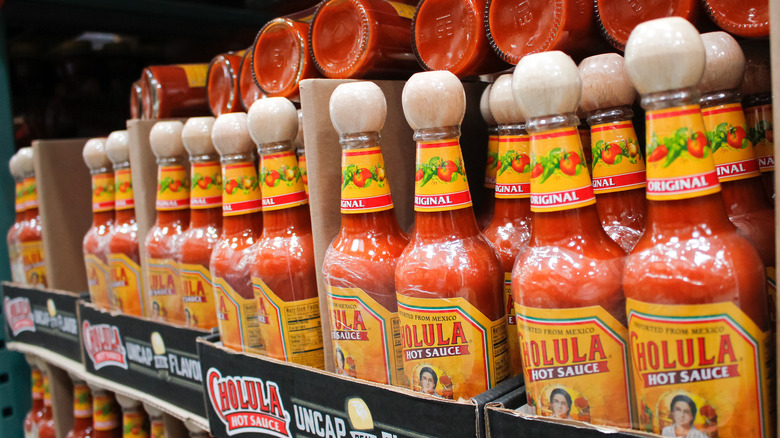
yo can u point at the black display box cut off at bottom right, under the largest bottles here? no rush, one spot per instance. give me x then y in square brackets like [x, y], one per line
[509, 415]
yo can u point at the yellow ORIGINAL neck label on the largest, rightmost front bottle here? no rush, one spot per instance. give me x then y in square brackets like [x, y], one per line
[679, 158]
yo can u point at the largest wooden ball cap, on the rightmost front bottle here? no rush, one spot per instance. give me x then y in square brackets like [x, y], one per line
[664, 54]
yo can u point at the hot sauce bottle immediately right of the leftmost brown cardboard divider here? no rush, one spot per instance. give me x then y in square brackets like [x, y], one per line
[95, 243]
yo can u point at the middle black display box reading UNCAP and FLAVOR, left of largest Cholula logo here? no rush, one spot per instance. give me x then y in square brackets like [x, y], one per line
[158, 359]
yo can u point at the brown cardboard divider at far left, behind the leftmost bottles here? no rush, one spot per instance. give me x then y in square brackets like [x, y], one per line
[65, 204]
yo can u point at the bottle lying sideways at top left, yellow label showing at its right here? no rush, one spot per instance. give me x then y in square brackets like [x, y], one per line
[174, 91]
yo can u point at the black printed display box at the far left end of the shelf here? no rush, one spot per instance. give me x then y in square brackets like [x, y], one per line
[45, 318]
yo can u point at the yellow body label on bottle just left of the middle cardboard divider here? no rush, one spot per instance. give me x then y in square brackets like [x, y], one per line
[125, 289]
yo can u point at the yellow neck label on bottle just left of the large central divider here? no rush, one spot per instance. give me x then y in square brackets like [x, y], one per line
[282, 184]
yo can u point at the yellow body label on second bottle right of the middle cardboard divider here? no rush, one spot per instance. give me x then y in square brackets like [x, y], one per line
[198, 296]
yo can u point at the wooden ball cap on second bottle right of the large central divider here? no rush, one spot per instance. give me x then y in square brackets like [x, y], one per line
[433, 99]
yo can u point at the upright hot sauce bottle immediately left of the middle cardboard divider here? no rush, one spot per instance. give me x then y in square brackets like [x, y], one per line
[126, 286]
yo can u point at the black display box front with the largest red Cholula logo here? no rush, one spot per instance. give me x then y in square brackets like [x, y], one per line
[249, 395]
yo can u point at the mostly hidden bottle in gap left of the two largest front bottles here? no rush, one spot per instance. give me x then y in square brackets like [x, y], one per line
[510, 229]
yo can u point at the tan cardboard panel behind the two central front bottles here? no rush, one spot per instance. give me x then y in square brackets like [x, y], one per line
[323, 157]
